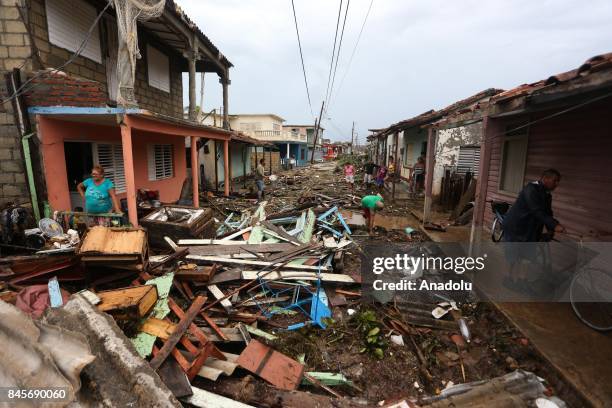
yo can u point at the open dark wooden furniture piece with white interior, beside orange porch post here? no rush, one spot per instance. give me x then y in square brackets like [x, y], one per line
[178, 222]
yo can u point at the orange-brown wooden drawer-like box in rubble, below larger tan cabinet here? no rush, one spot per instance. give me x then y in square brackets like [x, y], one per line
[128, 303]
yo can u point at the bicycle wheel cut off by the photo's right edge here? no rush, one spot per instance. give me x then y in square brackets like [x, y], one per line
[591, 298]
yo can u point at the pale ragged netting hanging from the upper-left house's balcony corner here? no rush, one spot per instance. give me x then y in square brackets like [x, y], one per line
[129, 12]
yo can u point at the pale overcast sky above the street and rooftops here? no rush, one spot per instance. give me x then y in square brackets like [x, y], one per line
[414, 55]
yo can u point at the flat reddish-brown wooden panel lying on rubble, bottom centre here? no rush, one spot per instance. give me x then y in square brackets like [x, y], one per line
[276, 368]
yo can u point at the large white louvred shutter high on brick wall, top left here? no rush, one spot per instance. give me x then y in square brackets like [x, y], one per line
[69, 22]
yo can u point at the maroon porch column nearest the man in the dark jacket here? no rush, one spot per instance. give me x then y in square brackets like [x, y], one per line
[489, 129]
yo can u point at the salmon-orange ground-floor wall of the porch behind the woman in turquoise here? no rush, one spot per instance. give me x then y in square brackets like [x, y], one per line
[52, 134]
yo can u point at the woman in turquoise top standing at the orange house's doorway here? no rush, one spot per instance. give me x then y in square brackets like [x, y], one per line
[99, 193]
